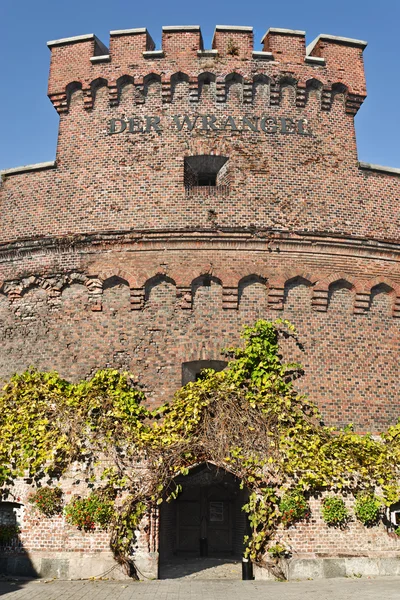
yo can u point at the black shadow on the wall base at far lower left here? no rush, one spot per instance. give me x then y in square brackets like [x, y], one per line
[14, 560]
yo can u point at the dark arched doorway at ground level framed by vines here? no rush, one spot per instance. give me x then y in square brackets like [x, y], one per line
[205, 525]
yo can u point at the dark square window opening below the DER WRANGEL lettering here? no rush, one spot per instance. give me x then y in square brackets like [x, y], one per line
[206, 171]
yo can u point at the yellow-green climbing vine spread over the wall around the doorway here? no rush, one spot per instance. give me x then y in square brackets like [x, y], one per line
[248, 419]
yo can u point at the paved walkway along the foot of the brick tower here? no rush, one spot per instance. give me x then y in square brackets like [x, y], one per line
[387, 588]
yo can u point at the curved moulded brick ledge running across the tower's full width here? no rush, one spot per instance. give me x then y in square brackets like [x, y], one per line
[209, 239]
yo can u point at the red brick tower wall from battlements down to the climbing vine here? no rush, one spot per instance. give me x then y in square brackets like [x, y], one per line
[299, 231]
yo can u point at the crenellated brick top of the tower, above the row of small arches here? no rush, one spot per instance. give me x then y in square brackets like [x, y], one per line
[328, 59]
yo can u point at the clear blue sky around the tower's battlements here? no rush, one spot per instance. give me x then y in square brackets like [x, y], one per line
[28, 122]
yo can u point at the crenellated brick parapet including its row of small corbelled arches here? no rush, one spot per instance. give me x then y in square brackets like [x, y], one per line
[329, 66]
